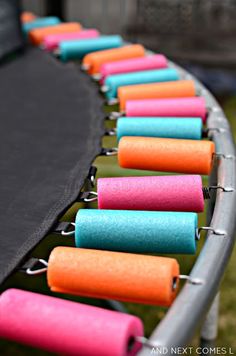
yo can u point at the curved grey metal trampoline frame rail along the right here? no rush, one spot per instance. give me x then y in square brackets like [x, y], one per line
[193, 302]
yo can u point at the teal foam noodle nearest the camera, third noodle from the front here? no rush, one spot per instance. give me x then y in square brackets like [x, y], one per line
[136, 231]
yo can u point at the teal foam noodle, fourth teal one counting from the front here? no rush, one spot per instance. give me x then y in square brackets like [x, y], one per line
[77, 49]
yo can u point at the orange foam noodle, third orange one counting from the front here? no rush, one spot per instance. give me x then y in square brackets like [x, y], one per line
[176, 89]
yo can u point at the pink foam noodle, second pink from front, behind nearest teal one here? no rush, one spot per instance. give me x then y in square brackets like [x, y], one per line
[163, 193]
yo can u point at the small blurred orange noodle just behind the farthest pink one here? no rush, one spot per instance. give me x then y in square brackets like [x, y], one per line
[37, 35]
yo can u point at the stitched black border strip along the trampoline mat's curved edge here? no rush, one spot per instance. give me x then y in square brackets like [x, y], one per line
[72, 188]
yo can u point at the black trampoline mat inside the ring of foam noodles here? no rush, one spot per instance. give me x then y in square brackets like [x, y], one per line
[51, 128]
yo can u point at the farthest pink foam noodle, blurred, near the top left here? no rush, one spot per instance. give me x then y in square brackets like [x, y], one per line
[52, 41]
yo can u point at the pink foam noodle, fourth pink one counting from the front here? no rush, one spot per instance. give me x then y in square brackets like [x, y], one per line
[157, 61]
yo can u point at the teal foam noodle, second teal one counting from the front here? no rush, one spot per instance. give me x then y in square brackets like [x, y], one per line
[169, 127]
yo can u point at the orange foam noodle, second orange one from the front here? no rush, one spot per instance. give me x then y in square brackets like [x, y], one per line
[166, 154]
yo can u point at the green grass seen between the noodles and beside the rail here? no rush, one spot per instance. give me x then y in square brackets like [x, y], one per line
[150, 315]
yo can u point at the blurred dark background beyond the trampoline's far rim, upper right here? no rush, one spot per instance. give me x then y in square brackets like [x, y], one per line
[199, 34]
